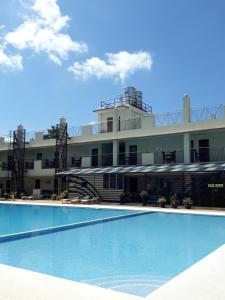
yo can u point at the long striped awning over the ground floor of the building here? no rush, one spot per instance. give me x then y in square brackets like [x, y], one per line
[166, 168]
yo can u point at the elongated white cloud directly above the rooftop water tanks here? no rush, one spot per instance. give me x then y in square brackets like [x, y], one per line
[117, 65]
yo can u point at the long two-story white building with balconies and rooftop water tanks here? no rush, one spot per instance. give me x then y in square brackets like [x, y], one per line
[129, 149]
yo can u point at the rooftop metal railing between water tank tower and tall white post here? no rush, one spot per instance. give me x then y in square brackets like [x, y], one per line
[169, 118]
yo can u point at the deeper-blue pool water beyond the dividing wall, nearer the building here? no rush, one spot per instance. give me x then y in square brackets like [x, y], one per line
[19, 218]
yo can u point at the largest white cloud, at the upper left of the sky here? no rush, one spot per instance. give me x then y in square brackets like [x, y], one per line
[41, 31]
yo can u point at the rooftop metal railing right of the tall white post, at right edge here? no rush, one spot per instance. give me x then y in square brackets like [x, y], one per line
[206, 113]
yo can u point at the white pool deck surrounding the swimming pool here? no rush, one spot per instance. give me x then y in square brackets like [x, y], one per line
[205, 280]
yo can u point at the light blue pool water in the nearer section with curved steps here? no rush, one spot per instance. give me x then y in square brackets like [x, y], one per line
[134, 255]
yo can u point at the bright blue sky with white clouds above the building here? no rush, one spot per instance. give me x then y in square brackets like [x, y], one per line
[53, 56]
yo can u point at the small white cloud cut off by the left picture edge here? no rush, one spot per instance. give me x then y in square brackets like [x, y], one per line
[10, 62]
